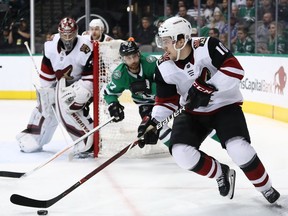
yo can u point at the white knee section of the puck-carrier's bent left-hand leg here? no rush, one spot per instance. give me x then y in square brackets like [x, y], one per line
[185, 156]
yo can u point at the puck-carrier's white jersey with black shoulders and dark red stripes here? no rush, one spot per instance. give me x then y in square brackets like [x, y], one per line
[208, 59]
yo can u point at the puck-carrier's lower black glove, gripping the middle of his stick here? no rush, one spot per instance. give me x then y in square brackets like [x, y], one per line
[149, 137]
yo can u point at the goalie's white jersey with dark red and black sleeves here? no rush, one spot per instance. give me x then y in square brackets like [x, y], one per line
[74, 65]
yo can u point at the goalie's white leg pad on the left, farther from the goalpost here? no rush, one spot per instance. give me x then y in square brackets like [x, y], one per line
[38, 132]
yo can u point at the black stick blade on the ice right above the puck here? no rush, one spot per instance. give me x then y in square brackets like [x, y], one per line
[25, 201]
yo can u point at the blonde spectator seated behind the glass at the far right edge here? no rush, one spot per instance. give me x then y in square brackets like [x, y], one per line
[275, 35]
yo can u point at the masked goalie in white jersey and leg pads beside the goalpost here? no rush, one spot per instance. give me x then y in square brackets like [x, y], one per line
[66, 85]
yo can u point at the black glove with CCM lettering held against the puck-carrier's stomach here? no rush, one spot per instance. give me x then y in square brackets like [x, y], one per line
[200, 94]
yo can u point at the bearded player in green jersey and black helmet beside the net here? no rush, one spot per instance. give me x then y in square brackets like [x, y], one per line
[136, 74]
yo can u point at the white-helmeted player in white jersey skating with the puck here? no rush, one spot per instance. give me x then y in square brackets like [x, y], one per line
[204, 76]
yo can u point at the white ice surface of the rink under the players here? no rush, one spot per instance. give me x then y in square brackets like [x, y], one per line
[148, 186]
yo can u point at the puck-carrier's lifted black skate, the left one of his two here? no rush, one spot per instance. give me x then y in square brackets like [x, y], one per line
[226, 182]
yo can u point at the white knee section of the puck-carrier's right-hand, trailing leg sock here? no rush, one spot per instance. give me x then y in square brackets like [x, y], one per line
[240, 151]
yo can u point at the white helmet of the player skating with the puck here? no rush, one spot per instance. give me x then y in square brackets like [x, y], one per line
[173, 27]
